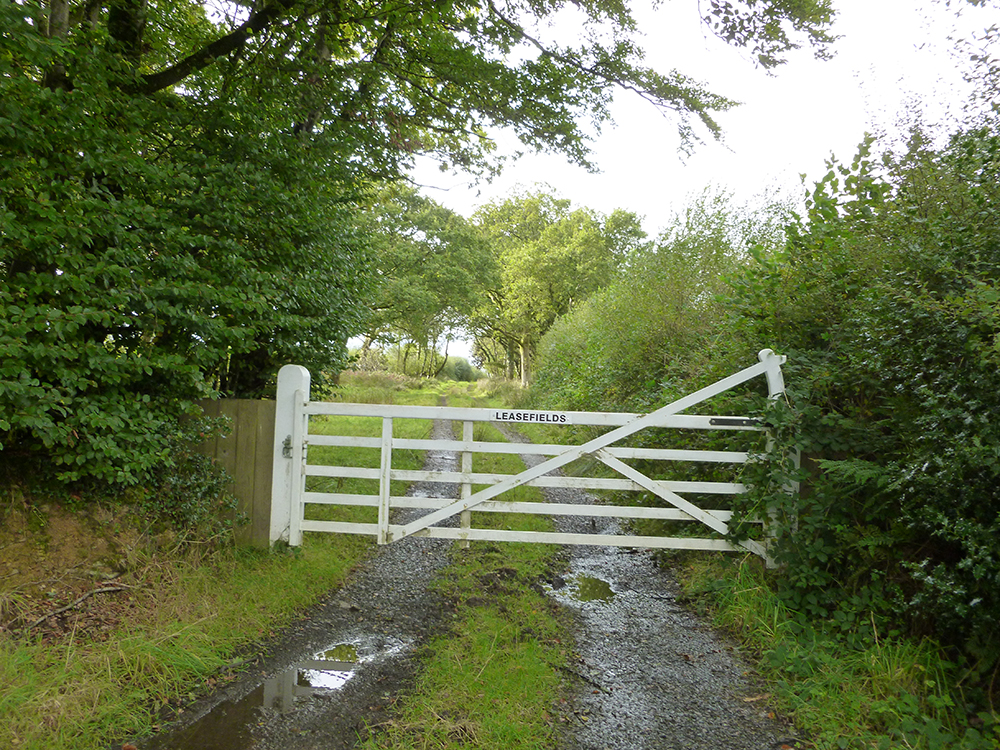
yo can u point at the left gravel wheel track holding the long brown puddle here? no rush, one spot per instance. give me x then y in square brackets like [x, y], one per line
[384, 613]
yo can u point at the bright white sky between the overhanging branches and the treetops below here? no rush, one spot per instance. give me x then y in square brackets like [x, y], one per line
[890, 52]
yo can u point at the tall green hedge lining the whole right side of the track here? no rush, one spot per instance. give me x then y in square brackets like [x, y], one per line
[885, 296]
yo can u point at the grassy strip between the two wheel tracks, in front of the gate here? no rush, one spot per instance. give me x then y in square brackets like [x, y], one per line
[492, 681]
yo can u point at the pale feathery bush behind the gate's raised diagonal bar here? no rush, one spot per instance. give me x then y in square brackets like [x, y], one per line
[639, 341]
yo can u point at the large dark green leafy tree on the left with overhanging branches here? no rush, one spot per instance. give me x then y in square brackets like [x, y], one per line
[176, 190]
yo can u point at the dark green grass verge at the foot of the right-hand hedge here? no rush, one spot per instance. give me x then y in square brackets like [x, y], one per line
[891, 694]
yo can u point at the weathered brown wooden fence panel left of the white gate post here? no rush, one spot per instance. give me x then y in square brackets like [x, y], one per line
[245, 452]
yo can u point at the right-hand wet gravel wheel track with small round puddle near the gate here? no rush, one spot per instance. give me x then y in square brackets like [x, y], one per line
[651, 674]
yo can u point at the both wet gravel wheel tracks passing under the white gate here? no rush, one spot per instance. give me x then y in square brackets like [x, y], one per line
[647, 675]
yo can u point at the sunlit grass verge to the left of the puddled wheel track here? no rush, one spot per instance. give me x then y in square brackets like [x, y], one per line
[191, 621]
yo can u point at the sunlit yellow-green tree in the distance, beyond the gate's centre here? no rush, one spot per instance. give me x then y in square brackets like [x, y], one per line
[551, 258]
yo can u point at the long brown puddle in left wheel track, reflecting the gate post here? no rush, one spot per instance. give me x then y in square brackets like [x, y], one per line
[229, 724]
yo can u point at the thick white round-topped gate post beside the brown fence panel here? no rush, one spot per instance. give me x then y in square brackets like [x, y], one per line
[293, 383]
